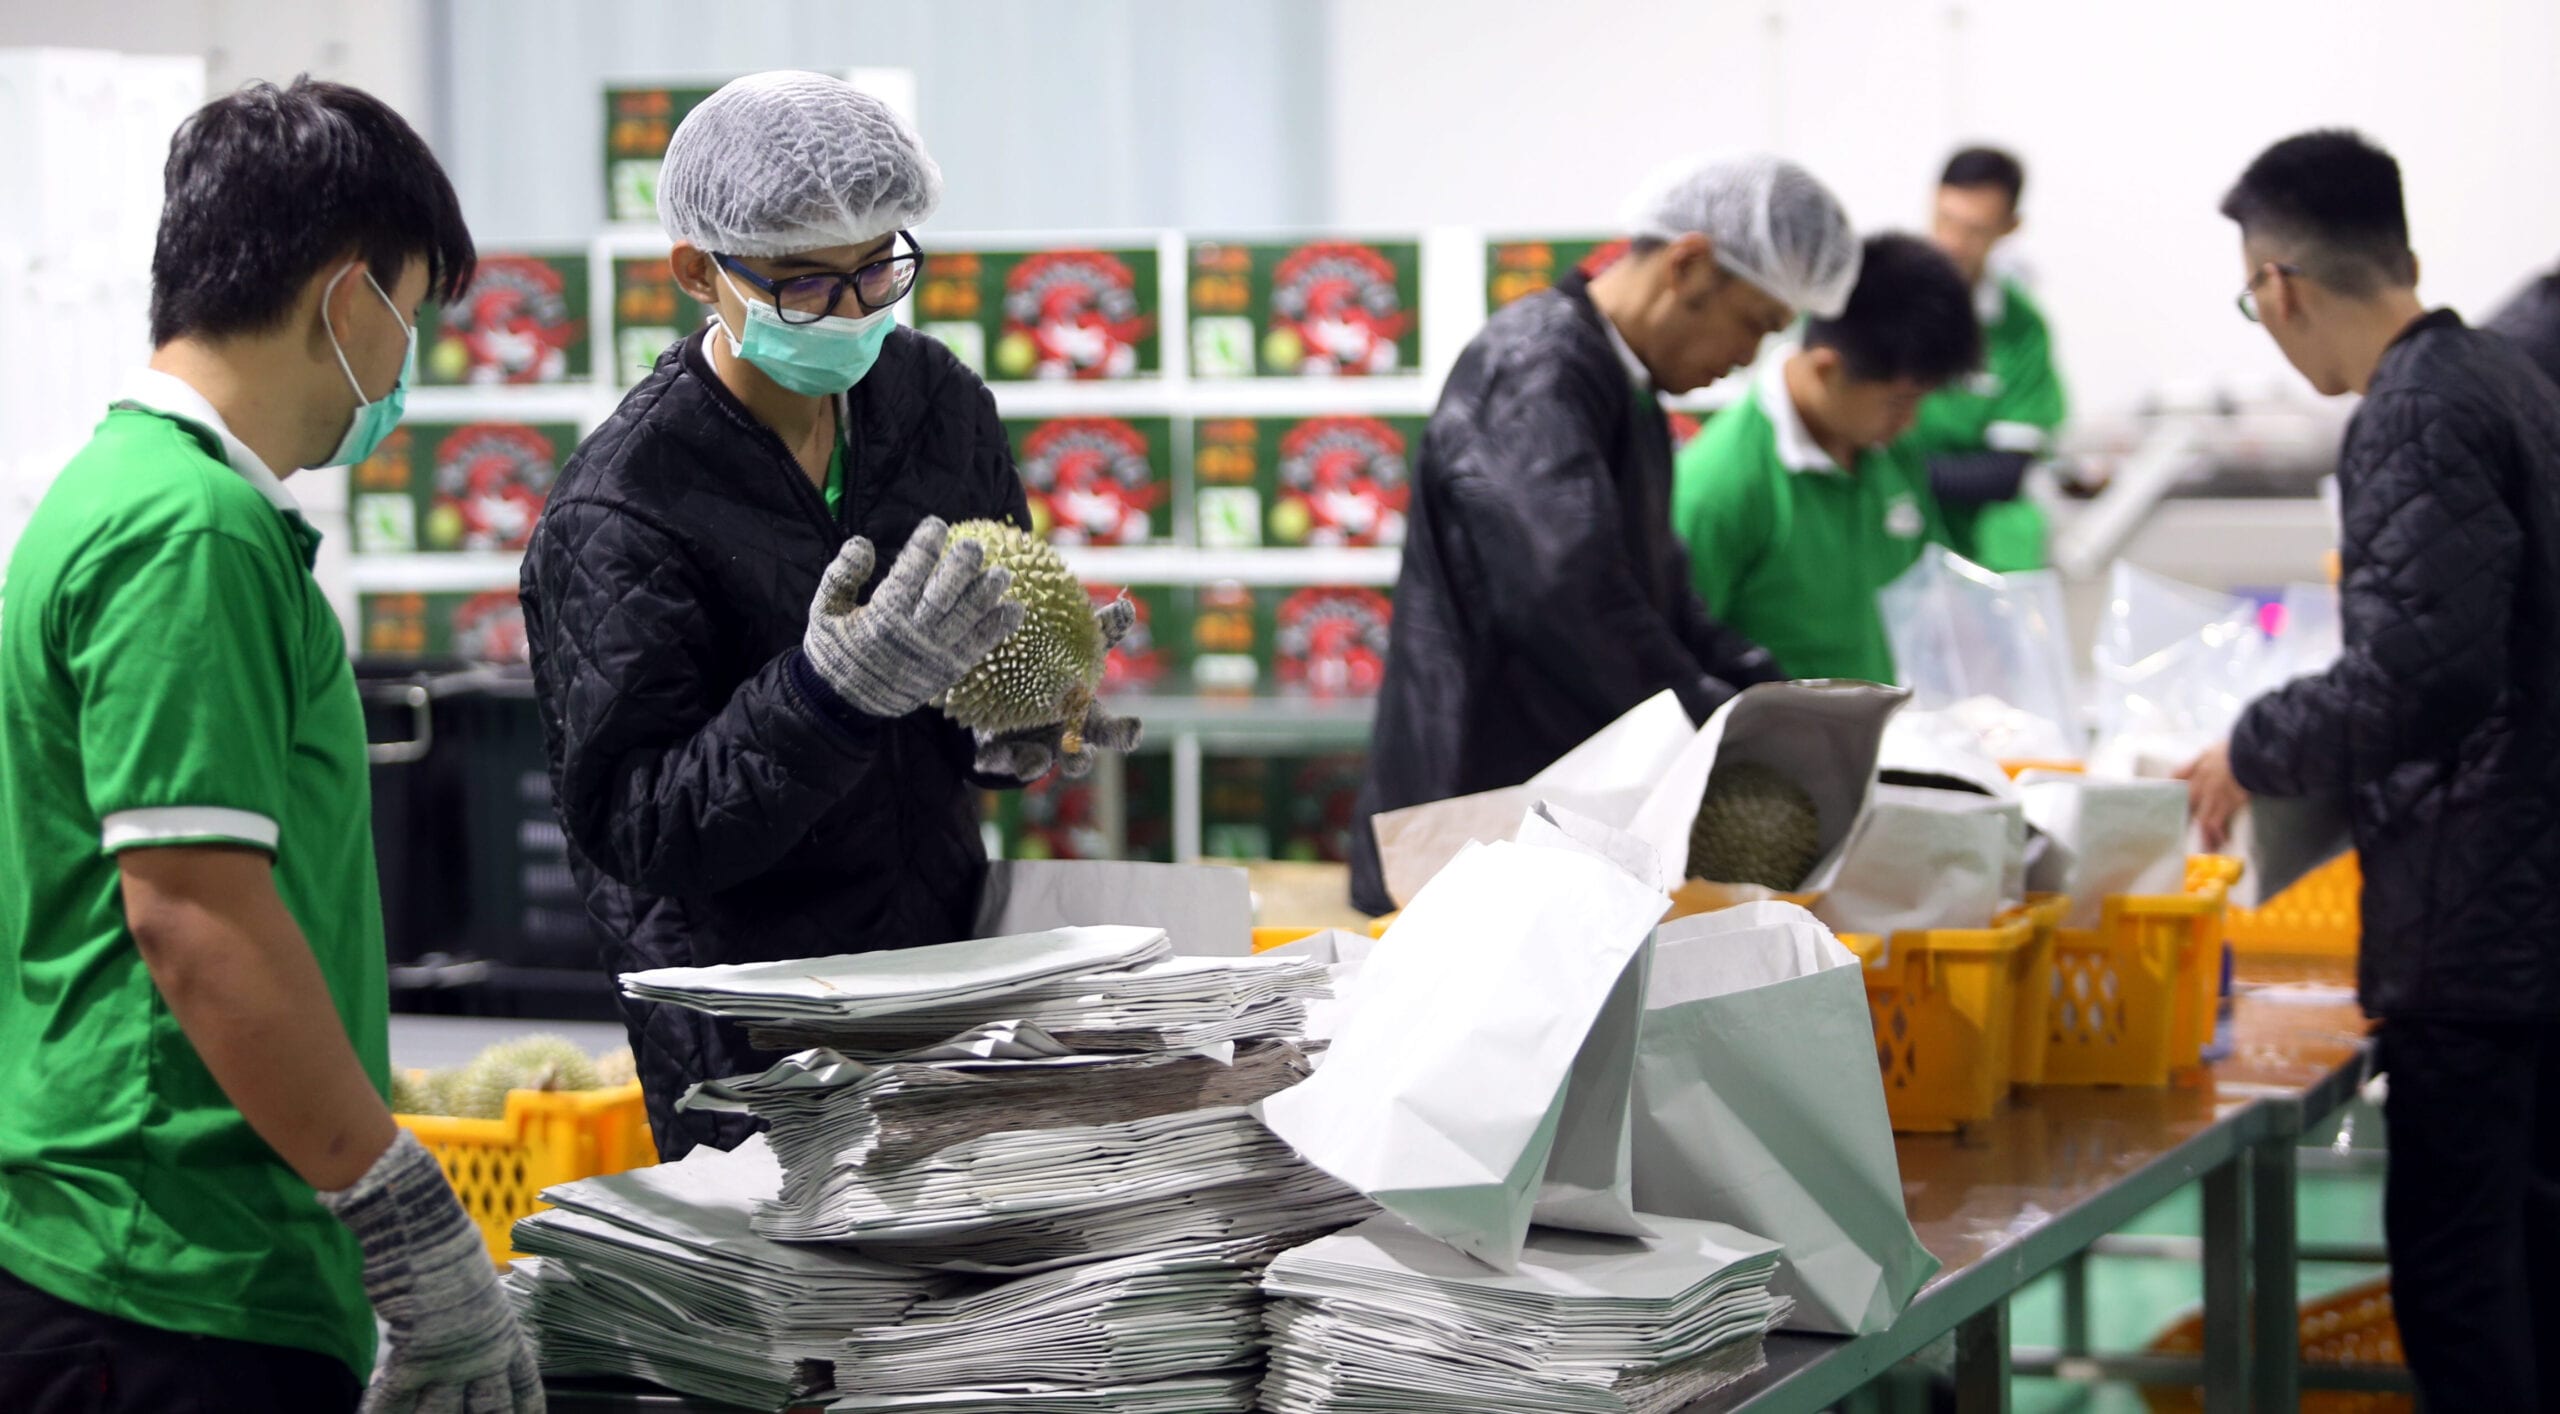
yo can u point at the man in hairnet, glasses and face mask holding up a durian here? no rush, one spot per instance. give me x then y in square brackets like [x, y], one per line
[785, 611]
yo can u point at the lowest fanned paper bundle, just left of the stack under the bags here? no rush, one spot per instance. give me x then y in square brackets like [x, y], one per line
[1102, 1326]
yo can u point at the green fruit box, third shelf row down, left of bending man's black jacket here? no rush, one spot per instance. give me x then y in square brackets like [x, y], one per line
[1299, 642]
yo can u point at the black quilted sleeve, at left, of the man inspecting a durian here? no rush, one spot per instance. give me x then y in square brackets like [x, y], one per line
[667, 783]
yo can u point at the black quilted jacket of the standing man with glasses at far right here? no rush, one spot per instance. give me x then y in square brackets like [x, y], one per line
[2441, 721]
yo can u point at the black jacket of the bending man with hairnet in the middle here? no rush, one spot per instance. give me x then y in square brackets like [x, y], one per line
[1542, 590]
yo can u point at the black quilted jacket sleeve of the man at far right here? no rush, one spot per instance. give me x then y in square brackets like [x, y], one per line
[2431, 560]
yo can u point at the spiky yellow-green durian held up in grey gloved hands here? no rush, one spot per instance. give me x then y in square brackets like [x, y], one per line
[1048, 670]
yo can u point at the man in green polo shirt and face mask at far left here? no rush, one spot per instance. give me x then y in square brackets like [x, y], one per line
[204, 1200]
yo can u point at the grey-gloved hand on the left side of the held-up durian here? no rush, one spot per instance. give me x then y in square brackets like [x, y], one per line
[933, 621]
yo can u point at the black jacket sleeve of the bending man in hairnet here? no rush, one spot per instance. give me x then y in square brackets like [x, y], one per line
[1545, 526]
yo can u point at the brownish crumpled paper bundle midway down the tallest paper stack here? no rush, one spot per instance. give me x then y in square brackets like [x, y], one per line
[833, 1113]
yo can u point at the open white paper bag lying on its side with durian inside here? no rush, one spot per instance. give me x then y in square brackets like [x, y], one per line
[1650, 770]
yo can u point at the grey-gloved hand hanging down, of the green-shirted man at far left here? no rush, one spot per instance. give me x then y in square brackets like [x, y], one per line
[452, 1336]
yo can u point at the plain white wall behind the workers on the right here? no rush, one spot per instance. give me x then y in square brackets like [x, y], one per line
[2131, 122]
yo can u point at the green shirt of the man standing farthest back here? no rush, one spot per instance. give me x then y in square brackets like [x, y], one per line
[2016, 403]
